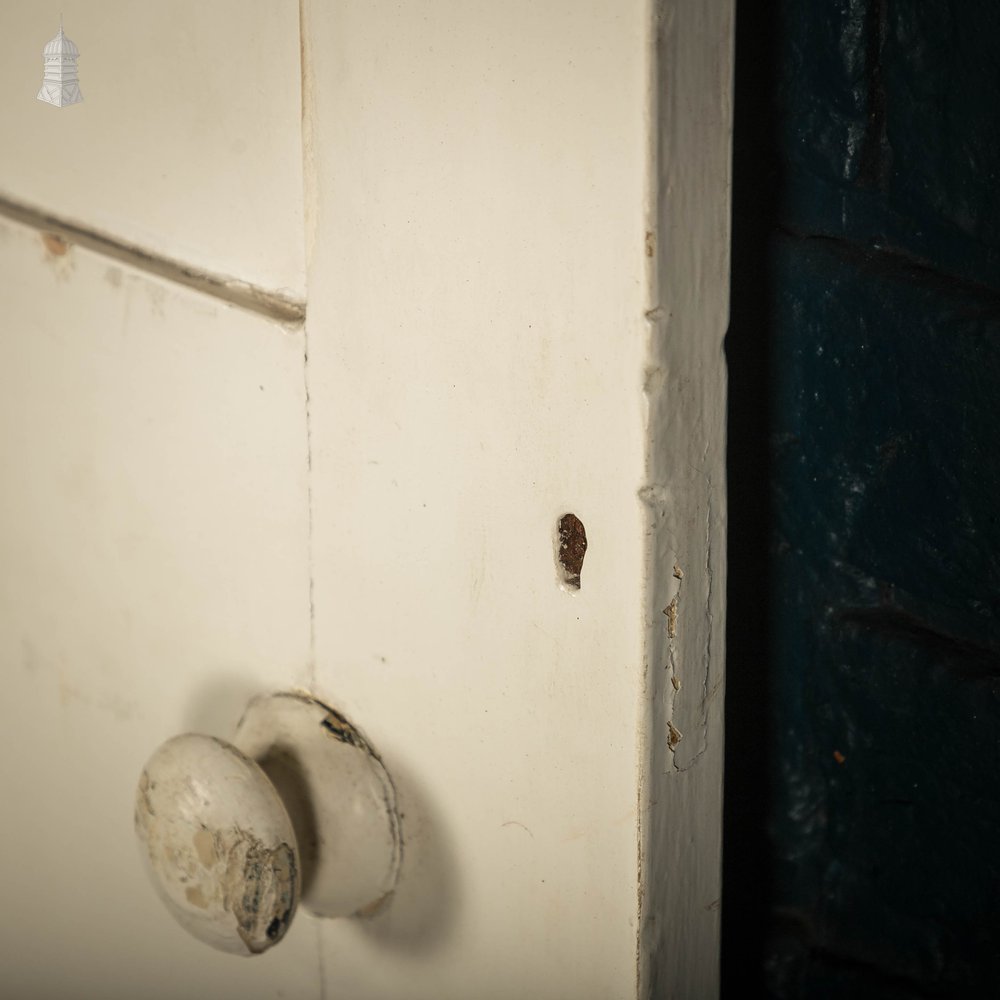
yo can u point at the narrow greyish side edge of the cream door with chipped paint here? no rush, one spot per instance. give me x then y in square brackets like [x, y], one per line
[685, 505]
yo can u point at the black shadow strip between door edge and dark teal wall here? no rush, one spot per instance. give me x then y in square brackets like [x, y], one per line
[747, 878]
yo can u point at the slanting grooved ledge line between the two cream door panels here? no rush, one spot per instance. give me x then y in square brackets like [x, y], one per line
[265, 302]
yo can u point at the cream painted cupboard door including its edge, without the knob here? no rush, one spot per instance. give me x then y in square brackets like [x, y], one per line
[346, 431]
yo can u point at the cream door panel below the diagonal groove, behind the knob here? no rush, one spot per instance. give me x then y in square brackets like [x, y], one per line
[152, 577]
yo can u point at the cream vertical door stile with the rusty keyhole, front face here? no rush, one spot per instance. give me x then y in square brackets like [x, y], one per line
[473, 378]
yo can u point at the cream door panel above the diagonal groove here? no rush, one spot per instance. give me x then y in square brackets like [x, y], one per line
[188, 140]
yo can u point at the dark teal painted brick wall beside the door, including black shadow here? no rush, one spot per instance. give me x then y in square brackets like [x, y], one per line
[865, 360]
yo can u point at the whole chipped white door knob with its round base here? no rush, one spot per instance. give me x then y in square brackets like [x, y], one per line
[299, 805]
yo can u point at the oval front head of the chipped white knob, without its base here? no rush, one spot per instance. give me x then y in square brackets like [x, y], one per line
[218, 844]
